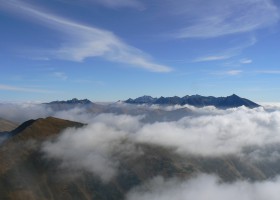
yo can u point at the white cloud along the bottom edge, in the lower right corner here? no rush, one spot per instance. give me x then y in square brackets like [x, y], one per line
[205, 187]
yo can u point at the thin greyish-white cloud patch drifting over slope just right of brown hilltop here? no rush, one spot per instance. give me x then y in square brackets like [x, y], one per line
[91, 148]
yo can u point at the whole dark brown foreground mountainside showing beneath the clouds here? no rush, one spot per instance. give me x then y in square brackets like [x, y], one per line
[26, 172]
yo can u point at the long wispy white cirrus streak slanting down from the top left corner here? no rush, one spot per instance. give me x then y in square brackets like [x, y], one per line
[86, 41]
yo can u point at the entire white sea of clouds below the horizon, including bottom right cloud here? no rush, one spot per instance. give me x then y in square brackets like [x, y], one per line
[252, 134]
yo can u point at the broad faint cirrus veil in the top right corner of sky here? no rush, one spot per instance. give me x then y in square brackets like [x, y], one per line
[217, 18]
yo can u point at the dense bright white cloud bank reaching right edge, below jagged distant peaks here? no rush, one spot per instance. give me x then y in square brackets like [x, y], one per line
[220, 134]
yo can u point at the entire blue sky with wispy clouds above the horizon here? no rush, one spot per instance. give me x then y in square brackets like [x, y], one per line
[108, 50]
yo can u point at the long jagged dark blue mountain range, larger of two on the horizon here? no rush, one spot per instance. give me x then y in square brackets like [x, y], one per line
[197, 101]
